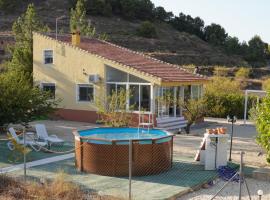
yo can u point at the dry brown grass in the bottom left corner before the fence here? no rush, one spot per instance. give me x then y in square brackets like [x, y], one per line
[59, 188]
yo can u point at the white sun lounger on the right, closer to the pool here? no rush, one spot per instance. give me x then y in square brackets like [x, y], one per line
[43, 135]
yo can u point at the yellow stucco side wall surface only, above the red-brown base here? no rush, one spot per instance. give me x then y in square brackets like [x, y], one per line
[68, 70]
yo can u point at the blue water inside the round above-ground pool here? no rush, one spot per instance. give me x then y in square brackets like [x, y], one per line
[122, 134]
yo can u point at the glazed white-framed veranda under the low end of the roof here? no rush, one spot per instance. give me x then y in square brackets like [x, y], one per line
[150, 97]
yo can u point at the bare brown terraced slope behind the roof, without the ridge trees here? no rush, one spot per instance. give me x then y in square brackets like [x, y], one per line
[170, 45]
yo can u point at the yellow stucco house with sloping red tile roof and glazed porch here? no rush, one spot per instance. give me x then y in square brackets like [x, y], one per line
[77, 70]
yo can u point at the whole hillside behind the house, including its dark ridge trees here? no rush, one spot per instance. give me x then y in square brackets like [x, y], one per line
[142, 26]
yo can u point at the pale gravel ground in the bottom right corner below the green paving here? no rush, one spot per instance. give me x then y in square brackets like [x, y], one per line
[231, 192]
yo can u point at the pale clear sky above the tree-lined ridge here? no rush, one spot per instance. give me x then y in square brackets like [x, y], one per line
[240, 18]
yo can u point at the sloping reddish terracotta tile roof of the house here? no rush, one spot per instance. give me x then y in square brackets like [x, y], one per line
[165, 71]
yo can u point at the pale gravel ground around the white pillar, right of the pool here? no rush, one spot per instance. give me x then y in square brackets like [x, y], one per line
[244, 140]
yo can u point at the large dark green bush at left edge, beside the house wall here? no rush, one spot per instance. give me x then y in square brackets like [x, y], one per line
[20, 102]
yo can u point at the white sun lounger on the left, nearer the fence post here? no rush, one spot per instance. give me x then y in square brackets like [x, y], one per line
[36, 145]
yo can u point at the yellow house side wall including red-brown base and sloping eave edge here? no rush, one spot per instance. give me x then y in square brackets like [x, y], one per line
[72, 66]
